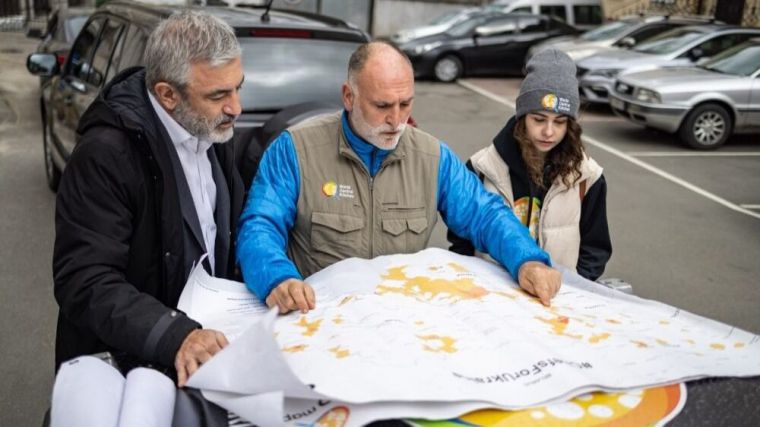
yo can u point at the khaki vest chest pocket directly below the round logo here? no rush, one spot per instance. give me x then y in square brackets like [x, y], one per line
[335, 237]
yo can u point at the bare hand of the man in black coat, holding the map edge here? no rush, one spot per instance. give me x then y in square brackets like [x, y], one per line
[196, 350]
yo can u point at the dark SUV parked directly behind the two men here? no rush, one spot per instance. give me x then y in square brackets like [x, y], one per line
[294, 64]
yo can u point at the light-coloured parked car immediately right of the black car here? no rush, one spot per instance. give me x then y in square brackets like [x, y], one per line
[625, 33]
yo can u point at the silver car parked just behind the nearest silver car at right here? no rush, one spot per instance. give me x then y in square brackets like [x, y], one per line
[677, 47]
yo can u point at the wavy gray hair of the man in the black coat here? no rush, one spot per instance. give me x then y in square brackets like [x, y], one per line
[184, 38]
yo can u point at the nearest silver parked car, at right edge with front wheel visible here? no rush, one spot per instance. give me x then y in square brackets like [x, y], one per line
[703, 104]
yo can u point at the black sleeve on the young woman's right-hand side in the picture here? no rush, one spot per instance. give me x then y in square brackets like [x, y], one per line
[596, 247]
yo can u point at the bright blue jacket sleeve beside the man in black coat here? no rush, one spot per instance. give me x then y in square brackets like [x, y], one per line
[268, 216]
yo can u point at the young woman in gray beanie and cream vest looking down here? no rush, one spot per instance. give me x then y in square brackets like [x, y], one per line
[538, 164]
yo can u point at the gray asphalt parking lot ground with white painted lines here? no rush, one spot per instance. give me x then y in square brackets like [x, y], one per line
[685, 225]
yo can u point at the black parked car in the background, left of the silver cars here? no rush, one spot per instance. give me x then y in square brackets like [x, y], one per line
[482, 45]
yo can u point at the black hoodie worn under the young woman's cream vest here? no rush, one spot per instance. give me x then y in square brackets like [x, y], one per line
[595, 248]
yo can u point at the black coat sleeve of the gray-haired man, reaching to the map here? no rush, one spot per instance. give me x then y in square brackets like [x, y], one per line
[96, 200]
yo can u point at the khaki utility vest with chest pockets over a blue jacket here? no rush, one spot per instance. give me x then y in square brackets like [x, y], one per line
[342, 212]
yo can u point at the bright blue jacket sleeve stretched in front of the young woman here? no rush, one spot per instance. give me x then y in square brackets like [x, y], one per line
[472, 212]
